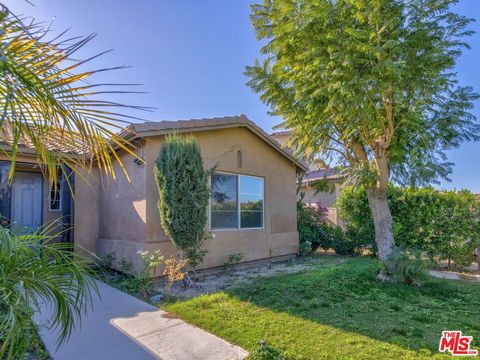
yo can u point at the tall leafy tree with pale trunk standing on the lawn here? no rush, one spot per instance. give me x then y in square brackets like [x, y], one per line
[369, 84]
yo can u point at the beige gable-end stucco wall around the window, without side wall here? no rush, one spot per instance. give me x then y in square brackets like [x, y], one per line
[219, 148]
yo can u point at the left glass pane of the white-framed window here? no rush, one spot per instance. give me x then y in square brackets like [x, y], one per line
[224, 205]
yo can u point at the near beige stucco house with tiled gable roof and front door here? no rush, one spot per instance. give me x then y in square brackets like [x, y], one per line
[122, 217]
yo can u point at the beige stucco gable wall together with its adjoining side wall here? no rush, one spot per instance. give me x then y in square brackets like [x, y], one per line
[131, 222]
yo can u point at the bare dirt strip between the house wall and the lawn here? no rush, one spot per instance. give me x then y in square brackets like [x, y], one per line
[208, 284]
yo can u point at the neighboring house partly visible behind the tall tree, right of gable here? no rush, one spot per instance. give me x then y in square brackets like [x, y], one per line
[318, 172]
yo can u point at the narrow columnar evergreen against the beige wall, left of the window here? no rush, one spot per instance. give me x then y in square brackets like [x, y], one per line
[183, 194]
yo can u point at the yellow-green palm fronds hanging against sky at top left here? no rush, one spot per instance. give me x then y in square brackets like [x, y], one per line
[49, 104]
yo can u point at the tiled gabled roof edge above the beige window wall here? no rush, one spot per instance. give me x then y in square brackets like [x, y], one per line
[141, 130]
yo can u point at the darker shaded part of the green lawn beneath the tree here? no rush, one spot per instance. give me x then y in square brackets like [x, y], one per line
[349, 297]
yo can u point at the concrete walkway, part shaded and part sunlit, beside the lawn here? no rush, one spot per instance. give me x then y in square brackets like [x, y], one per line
[122, 327]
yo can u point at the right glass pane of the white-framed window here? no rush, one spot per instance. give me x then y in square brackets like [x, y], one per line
[251, 202]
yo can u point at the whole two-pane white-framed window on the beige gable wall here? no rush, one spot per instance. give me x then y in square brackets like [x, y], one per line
[237, 202]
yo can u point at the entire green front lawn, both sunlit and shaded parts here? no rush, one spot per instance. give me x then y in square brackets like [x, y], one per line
[338, 311]
